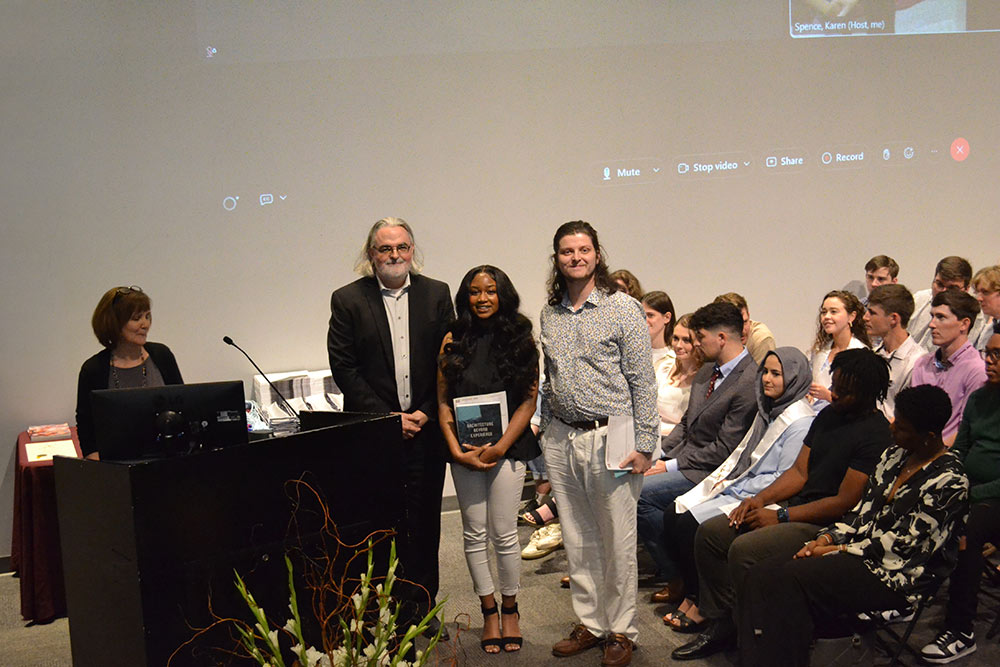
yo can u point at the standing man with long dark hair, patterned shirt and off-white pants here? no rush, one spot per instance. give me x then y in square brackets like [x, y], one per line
[597, 366]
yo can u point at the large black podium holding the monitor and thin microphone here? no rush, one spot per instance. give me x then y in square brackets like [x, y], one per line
[148, 546]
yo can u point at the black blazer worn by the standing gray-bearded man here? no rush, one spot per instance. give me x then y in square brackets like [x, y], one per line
[360, 351]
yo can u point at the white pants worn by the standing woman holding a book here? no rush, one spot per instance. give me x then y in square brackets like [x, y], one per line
[488, 500]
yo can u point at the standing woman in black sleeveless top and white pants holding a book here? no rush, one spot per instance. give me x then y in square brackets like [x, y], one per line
[489, 359]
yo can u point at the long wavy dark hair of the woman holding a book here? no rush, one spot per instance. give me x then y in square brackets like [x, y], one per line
[513, 345]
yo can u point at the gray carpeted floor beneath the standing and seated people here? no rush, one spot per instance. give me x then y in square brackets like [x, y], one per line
[546, 616]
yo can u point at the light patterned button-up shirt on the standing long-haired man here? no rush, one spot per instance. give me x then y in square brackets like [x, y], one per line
[598, 364]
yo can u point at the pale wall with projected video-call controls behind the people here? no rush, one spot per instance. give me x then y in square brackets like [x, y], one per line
[229, 157]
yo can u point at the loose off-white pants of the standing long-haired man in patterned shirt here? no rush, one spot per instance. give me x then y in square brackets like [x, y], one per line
[597, 513]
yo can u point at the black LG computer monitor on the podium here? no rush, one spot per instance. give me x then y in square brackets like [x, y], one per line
[156, 422]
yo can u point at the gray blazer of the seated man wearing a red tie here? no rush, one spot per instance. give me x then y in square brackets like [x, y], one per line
[712, 428]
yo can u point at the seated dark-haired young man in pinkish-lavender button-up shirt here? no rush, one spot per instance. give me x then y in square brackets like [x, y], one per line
[955, 366]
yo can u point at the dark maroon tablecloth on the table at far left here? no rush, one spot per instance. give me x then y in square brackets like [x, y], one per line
[34, 552]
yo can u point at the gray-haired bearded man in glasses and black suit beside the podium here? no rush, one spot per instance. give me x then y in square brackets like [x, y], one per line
[385, 331]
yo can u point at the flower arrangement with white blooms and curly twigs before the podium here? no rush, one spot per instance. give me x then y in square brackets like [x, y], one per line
[358, 620]
